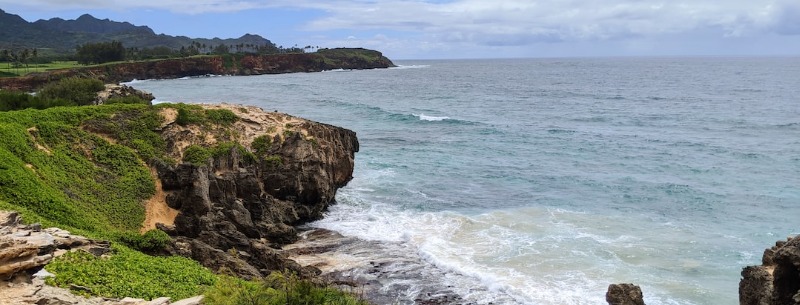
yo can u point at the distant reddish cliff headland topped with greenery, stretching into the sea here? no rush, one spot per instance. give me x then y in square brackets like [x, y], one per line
[233, 64]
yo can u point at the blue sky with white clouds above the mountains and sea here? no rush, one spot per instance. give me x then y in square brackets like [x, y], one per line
[455, 29]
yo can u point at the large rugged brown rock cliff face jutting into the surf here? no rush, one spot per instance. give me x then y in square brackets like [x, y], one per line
[234, 208]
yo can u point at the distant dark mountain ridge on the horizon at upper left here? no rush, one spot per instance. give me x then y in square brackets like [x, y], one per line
[63, 35]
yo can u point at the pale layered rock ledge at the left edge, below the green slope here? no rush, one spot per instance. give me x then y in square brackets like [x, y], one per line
[24, 248]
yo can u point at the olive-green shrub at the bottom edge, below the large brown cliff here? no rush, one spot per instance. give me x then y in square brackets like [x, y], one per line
[277, 289]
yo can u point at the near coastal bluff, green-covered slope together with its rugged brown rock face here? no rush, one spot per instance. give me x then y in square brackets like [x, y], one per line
[226, 183]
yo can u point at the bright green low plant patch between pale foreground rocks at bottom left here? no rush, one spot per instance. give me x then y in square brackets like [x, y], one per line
[129, 273]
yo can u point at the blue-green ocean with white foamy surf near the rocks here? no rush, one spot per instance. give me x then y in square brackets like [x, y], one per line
[542, 181]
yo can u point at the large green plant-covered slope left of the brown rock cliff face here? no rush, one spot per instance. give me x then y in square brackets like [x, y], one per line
[63, 175]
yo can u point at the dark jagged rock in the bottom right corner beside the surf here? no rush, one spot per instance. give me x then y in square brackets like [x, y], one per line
[777, 280]
